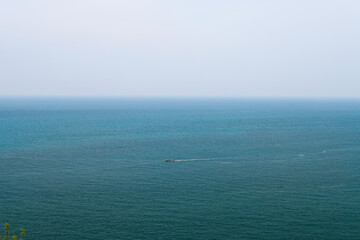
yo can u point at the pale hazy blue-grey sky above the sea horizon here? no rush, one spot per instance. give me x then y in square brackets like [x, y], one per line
[300, 48]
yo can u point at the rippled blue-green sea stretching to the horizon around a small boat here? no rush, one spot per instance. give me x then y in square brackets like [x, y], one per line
[246, 169]
